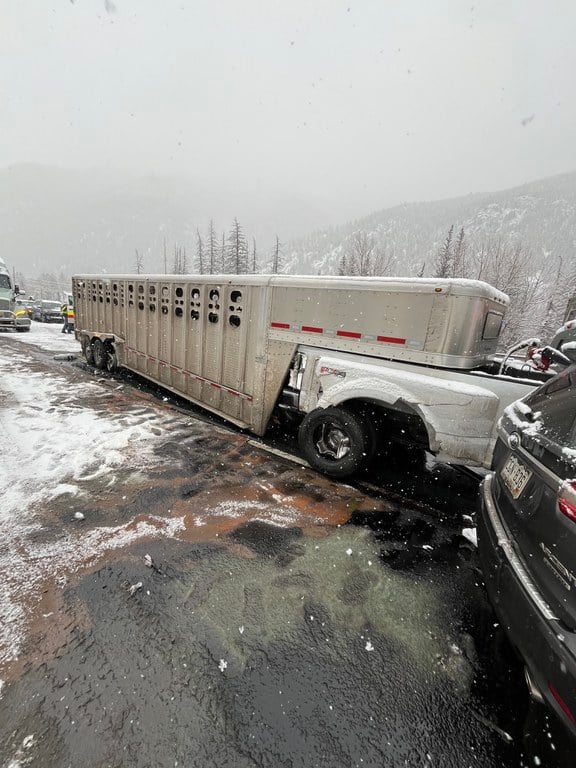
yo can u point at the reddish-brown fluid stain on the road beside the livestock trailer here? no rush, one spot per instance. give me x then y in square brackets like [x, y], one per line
[236, 487]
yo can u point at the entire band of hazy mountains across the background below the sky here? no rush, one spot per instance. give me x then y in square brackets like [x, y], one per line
[69, 221]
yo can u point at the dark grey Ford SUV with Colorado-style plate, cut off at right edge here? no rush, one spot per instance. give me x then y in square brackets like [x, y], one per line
[527, 538]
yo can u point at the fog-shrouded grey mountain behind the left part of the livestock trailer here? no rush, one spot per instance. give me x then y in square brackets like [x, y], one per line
[62, 220]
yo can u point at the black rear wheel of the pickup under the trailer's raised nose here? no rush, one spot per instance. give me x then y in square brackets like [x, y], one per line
[335, 441]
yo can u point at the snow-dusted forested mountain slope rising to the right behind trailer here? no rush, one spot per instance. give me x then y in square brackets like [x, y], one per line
[541, 216]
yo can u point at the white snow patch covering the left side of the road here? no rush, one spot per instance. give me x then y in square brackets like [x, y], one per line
[54, 443]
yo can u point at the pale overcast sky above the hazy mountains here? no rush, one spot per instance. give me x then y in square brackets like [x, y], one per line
[360, 103]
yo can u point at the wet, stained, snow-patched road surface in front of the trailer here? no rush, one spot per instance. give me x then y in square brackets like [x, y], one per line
[172, 595]
